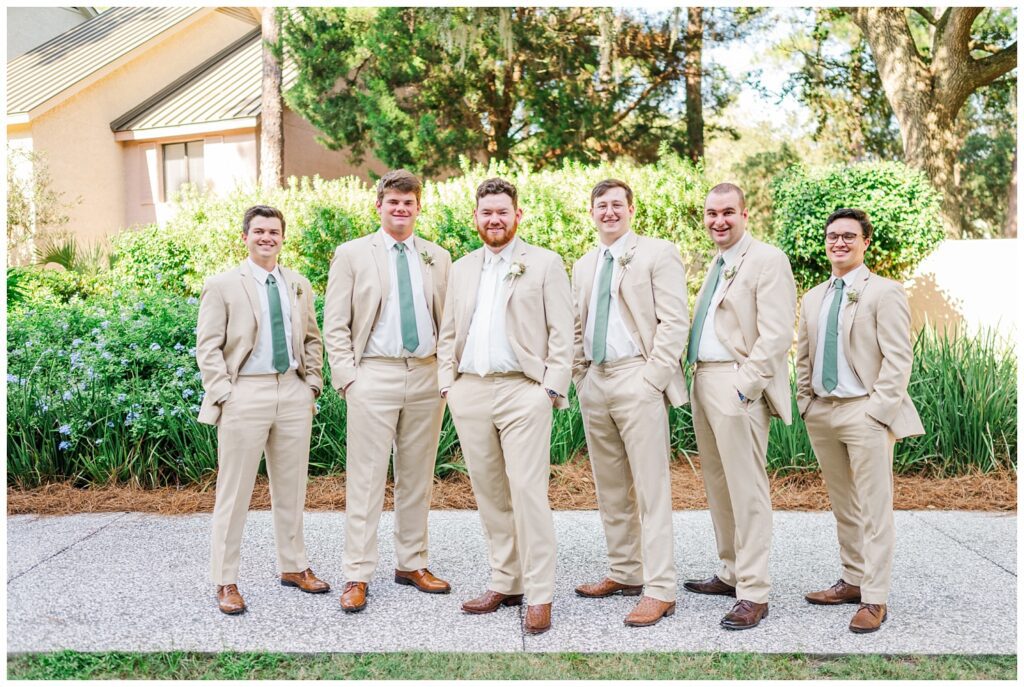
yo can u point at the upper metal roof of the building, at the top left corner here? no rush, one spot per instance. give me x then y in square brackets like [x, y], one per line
[66, 60]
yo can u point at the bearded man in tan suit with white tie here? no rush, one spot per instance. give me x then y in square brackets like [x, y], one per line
[505, 358]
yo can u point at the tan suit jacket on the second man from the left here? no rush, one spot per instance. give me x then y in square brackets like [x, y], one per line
[358, 288]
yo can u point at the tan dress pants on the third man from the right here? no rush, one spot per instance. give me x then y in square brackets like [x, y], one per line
[627, 425]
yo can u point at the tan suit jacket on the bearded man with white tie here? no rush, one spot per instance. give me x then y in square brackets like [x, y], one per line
[538, 311]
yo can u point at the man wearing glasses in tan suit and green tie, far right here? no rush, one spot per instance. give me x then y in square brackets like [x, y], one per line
[854, 366]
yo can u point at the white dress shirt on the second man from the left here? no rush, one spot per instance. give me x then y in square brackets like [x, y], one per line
[386, 340]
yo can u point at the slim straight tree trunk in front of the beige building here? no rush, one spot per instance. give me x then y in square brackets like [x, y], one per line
[272, 141]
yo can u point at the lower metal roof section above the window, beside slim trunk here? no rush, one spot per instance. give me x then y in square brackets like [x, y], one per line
[228, 88]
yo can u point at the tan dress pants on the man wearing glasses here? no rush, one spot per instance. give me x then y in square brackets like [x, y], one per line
[857, 458]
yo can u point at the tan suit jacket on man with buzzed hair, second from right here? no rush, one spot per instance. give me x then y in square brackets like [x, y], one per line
[757, 312]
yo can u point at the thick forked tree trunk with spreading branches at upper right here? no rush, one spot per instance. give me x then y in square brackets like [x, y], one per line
[928, 89]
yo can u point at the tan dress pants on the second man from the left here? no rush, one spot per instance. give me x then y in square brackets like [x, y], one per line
[393, 407]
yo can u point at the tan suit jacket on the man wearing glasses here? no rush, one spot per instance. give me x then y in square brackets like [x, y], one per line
[877, 343]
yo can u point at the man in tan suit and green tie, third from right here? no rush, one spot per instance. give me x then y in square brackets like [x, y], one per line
[631, 326]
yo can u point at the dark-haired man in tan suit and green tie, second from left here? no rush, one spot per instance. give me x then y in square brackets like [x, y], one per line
[385, 299]
